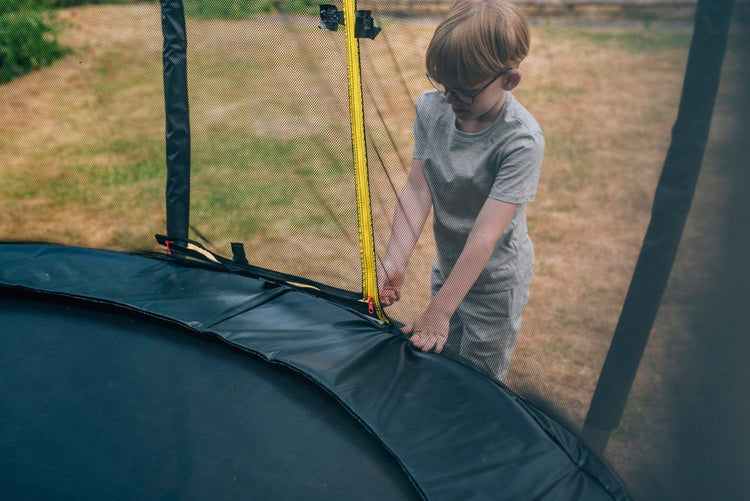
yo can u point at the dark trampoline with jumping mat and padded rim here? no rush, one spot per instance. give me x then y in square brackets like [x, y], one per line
[133, 376]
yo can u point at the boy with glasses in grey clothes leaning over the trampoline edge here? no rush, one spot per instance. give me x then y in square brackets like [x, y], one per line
[476, 162]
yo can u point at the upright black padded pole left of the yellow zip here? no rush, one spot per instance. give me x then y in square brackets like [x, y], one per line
[174, 57]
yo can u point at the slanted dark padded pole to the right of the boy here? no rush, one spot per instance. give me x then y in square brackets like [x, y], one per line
[674, 194]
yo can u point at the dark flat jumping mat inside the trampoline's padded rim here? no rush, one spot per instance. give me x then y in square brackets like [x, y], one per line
[97, 403]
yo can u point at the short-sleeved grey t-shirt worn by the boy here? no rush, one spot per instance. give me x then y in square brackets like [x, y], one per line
[462, 170]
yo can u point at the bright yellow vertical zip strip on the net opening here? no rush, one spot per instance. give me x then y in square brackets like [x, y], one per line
[359, 149]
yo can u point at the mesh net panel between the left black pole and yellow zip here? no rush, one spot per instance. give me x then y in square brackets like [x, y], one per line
[272, 160]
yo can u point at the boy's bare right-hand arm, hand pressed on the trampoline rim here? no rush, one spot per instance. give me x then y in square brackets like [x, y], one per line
[429, 331]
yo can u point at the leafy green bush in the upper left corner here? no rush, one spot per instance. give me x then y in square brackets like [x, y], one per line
[28, 38]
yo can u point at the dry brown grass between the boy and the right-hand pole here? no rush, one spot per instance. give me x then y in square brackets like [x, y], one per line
[608, 117]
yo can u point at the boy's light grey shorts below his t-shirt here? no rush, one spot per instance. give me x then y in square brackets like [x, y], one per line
[484, 329]
